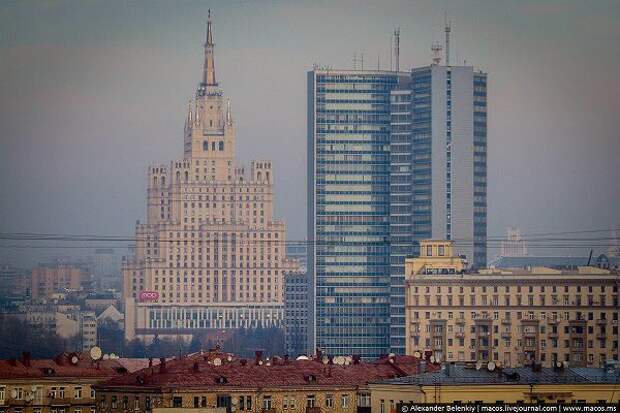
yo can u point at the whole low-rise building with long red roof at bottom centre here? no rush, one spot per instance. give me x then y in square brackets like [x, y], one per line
[219, 380]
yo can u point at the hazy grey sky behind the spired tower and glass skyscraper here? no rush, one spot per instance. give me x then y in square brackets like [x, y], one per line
[91, 92]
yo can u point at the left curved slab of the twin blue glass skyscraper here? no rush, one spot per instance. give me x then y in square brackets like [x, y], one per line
[348, 210]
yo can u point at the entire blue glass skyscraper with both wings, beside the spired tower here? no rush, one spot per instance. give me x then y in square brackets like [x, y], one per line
[393, 158]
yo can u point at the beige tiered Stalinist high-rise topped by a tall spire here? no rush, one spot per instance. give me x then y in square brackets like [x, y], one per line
[211, 255]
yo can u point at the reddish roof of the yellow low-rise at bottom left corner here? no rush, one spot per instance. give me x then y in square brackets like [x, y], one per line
[61, 366]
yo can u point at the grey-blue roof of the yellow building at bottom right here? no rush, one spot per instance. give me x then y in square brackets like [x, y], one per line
[460, 375]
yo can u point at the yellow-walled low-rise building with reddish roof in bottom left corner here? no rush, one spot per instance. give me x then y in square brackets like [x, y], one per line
[59, 385]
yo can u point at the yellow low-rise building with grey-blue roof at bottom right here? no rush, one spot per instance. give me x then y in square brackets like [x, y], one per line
[479, 384]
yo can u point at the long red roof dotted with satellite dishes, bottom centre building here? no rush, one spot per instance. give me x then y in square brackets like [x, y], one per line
[200, 370]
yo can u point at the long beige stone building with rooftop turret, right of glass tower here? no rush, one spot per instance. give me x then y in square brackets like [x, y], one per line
[514, 317]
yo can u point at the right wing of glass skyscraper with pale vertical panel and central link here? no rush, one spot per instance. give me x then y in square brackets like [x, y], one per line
[438, 172]
